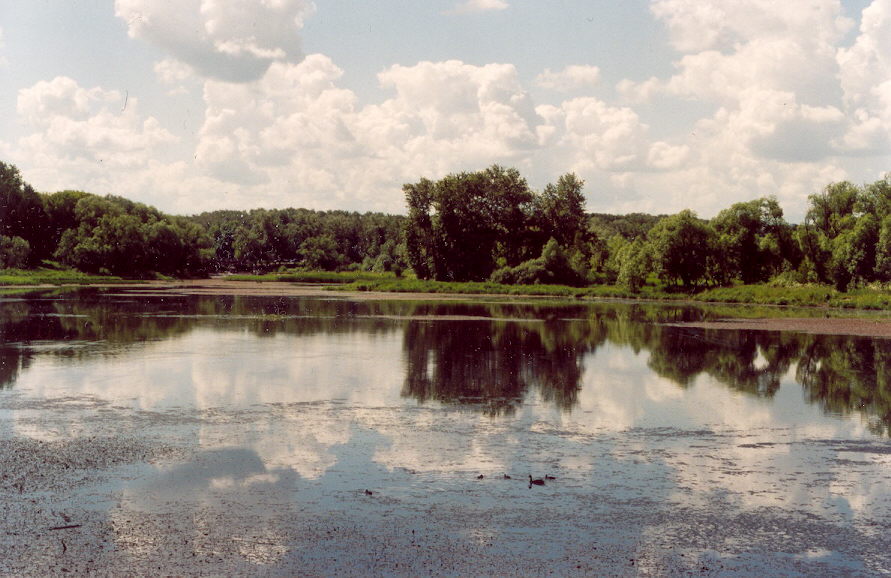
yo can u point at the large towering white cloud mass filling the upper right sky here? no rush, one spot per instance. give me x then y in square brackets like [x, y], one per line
[781, 100]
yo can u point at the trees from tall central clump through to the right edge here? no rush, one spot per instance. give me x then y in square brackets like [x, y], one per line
[489, 225]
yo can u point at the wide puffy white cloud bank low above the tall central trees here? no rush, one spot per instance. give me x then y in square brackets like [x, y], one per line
[295, 129]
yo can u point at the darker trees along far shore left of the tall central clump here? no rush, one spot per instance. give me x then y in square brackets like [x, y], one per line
[114, 235]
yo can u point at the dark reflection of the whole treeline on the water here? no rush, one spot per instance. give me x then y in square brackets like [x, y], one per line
[489, 357]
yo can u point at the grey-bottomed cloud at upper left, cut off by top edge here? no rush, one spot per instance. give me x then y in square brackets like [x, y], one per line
[224, 40]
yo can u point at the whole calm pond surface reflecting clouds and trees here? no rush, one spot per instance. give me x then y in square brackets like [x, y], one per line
[257, 435]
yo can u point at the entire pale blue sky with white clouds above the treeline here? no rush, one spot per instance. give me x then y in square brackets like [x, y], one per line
[659, 105]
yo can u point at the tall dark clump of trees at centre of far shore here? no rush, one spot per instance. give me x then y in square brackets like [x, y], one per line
[465, 226]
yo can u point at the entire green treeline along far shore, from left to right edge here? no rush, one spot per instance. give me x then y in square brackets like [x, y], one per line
[469, 226]
